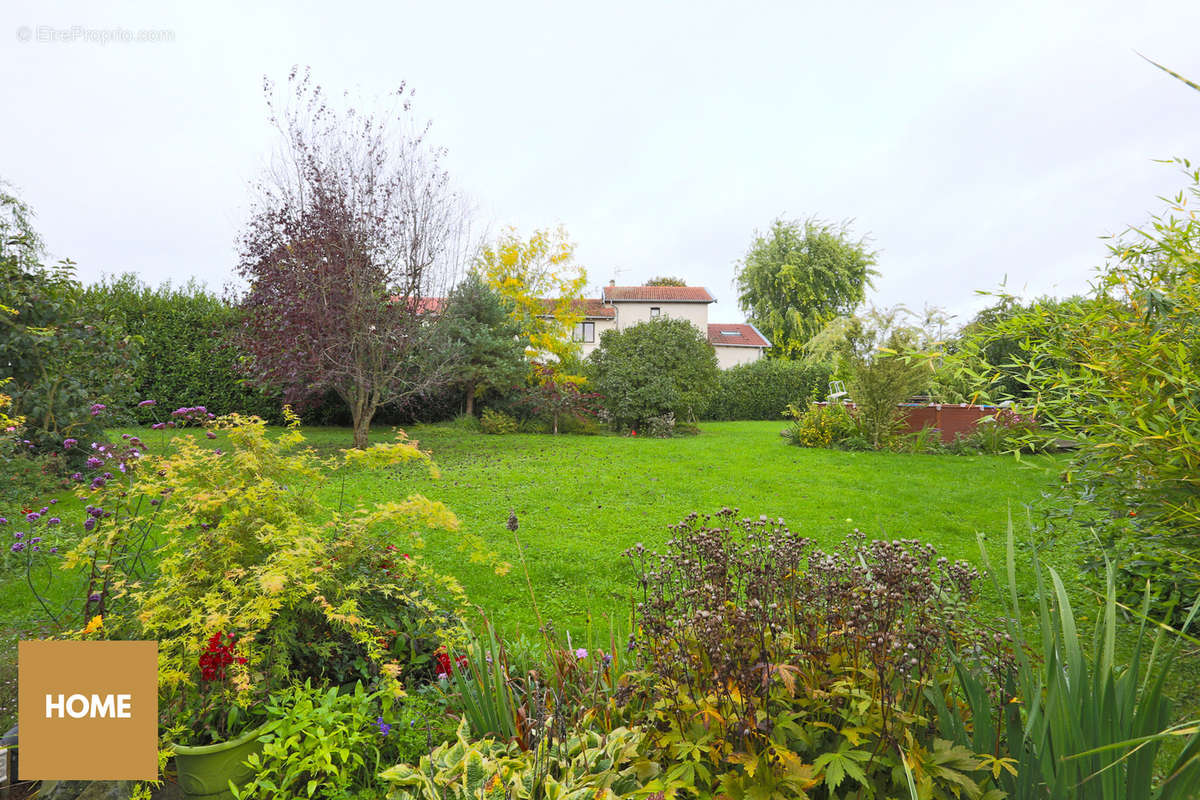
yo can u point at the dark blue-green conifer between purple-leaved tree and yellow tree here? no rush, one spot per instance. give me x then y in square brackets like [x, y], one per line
[481, 322]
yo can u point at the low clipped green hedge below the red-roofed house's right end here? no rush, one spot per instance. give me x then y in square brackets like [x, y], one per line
[764, 389]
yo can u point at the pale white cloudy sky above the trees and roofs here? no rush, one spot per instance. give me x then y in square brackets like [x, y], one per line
[971, 141]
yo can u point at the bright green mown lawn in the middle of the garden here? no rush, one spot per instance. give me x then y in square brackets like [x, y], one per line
[583, 501]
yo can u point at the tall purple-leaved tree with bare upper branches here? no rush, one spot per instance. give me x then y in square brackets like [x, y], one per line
[353, 234]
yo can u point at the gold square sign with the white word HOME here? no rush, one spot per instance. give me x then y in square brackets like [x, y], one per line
[88, 711]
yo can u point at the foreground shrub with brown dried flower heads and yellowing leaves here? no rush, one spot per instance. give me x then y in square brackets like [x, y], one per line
[785, 671]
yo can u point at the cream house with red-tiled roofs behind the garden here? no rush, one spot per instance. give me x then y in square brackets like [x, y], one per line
[620, 308]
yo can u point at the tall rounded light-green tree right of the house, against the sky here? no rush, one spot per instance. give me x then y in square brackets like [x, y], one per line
[801, 275]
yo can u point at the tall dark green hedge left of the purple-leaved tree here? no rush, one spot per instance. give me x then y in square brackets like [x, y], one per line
[187, 357]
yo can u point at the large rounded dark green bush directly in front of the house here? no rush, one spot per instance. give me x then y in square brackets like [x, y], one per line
[662, 366]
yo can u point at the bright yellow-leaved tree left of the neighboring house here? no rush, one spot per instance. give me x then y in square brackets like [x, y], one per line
[543, 284]
